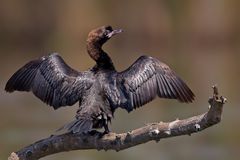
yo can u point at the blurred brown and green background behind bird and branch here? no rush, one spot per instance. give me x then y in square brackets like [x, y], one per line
[199, 39]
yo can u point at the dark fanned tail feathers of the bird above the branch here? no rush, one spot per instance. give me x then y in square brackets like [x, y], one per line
[77, 126]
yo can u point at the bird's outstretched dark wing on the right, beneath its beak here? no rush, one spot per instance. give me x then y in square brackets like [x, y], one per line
[144, 80]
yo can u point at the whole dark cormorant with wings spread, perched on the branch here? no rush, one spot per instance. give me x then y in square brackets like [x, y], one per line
[101, 89]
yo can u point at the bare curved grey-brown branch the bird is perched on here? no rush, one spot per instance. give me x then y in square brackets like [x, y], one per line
[113, 141]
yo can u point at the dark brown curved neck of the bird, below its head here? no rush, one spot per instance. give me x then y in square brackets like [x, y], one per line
[96, 53]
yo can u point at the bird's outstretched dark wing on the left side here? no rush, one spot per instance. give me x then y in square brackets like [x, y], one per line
[51, 80]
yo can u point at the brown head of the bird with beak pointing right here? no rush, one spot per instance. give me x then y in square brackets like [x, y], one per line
[100, 35]
